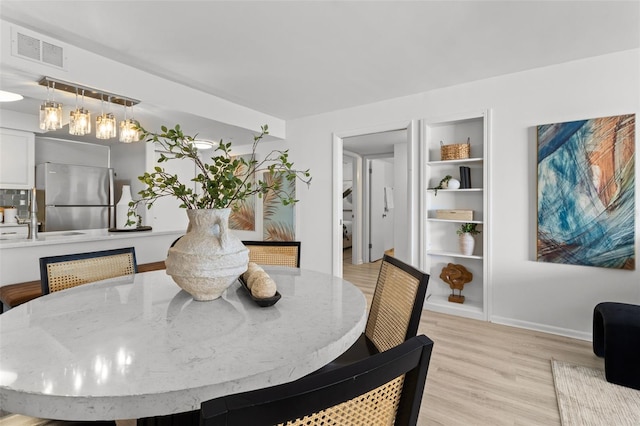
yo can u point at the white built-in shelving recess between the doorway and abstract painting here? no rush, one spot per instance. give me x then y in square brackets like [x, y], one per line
[439, 238]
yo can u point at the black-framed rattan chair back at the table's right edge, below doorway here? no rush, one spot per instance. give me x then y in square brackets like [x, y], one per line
[397, 303]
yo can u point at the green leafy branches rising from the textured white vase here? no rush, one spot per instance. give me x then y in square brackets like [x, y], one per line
[223, 181]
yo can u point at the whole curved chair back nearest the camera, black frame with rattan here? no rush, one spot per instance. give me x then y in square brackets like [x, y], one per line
[383, 389]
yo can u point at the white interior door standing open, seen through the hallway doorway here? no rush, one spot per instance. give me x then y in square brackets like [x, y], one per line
[378, 217]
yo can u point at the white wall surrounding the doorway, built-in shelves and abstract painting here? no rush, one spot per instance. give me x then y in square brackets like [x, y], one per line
[523, 292]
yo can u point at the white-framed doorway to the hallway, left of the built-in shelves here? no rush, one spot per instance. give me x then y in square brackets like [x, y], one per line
[387, 198]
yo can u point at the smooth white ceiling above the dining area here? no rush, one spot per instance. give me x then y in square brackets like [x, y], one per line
[292, 59]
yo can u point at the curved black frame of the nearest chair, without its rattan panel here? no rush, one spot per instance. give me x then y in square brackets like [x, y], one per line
[312, 394]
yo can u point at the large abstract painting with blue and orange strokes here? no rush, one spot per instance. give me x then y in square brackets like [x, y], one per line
[586, 192]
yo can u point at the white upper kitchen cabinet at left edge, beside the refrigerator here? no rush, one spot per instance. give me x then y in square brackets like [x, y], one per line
[17, 168]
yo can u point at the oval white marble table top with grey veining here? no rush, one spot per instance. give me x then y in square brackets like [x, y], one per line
[139, 346]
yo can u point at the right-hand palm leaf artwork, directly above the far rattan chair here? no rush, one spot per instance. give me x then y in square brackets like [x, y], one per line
[278, 218]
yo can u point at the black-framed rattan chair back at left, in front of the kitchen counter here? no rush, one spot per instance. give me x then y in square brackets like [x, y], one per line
[62, 272]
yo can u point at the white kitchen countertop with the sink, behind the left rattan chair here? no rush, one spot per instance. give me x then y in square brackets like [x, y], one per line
[85, 235]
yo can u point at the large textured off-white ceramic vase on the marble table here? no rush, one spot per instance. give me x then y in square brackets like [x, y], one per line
[208, 258]
